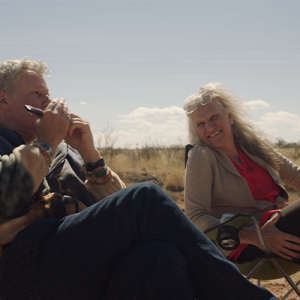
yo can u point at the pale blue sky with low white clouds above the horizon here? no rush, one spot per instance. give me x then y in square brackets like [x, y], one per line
[127, 66]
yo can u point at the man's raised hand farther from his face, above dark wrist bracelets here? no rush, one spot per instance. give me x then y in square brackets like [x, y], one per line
[80, 137]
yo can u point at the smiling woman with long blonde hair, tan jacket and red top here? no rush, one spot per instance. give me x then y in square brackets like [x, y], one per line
[232, 168]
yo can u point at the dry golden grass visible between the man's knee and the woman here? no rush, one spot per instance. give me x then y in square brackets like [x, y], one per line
[164, 167]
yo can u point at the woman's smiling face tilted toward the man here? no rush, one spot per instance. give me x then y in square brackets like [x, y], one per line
[213, 126]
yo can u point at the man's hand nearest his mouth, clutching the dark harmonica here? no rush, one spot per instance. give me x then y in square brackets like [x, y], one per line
[54, 124]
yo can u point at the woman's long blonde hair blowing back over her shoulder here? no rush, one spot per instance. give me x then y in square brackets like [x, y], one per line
[244, 132]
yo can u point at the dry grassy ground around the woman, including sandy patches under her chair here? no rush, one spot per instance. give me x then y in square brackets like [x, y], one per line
[166, 167]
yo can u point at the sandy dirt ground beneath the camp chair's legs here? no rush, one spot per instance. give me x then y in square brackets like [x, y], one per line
[279, 287]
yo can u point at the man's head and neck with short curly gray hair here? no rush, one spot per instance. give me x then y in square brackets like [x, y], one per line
[21, 82]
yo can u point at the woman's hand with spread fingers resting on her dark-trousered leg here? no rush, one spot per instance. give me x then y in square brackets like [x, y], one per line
[278, 242]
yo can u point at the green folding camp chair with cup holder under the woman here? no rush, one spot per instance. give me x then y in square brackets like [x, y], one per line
[265, 267]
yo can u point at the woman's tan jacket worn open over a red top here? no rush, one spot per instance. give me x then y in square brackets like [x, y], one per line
[213, 186]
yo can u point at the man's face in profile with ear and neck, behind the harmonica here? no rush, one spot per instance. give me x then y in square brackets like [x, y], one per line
[30, 88]
